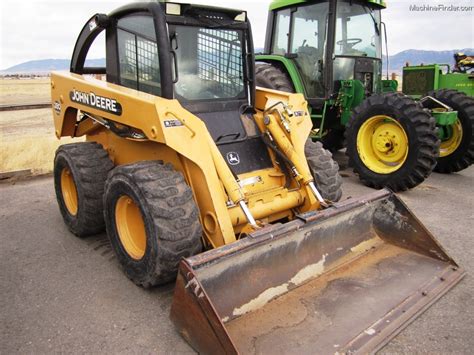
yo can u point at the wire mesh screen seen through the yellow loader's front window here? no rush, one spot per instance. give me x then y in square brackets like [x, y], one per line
[220, 59]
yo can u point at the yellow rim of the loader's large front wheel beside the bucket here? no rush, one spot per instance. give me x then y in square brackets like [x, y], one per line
[130, 227]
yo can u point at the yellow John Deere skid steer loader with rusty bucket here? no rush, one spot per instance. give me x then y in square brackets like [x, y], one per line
[182, 154]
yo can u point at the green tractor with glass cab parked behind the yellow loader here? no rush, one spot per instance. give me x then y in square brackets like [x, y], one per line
[331, 51]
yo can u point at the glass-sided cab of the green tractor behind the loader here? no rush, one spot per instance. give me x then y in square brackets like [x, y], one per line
[324, 48]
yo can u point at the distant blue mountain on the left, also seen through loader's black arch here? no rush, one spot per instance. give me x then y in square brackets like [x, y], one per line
[47, 65]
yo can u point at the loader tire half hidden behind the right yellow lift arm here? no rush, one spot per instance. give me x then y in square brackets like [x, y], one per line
[325, 171]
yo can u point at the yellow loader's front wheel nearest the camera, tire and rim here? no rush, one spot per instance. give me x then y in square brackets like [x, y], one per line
[152, 221]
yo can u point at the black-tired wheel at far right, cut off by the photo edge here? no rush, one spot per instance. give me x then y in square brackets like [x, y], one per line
[457, 152]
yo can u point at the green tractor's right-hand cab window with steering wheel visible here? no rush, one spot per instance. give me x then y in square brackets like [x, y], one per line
[357, 31]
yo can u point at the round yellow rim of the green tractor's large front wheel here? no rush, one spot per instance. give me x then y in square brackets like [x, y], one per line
[382, 144]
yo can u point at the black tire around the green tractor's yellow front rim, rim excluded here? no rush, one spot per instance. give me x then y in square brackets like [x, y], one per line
[420, 129]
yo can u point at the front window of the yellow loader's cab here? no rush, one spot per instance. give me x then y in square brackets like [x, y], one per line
[209, 63]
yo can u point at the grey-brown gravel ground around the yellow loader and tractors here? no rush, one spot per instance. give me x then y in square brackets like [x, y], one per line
[63, 294]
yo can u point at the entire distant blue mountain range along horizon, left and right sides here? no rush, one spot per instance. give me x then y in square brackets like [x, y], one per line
[396, 62]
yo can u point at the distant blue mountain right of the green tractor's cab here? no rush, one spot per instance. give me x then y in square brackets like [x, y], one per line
[417, 57]
